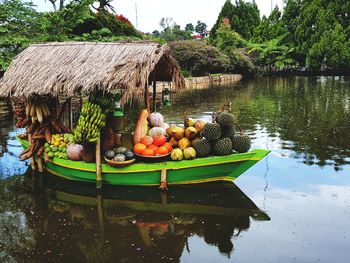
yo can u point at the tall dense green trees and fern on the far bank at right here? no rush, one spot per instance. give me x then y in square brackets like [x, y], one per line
[311, 33]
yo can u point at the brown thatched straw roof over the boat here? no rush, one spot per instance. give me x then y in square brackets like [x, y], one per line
[66, 67]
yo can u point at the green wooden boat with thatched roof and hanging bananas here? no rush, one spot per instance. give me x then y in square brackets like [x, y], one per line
[50, 95]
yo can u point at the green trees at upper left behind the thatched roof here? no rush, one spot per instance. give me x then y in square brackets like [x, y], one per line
[75, 21]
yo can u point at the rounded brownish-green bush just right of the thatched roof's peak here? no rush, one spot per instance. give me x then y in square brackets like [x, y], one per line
[196, 58]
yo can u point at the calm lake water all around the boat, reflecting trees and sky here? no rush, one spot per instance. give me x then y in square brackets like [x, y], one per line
[293, 206]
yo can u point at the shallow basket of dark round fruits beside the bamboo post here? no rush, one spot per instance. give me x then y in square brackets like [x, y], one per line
[119, 157]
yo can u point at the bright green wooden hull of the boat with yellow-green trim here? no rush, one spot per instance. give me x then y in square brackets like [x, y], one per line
[201, 170]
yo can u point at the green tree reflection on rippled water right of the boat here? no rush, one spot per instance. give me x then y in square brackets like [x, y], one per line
[306, 117]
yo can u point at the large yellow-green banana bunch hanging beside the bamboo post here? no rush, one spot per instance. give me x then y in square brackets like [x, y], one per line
[91, 120]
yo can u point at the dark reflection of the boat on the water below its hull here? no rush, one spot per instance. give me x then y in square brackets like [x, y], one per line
[63, 222]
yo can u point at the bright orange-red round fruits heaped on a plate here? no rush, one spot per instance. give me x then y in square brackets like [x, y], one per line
[153, 148]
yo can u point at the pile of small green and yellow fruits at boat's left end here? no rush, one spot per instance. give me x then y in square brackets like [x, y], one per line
[57, 147]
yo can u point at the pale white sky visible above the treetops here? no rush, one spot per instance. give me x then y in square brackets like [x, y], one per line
[150, 12]
